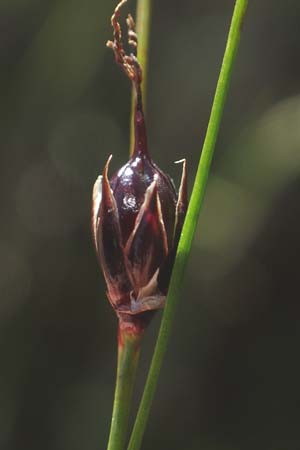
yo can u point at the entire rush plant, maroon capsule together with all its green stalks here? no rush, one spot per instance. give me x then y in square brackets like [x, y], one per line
[141, 238]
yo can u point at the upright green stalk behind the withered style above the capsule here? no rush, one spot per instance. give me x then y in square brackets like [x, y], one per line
[143, 20]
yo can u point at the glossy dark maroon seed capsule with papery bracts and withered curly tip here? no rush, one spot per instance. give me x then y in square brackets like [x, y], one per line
[137, 215]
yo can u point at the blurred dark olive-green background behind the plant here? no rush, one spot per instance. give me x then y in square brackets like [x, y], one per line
[231, 377]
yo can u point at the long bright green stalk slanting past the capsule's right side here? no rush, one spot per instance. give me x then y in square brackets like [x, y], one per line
[190, 224]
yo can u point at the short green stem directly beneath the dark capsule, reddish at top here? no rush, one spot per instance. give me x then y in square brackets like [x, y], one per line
[128, 356]
